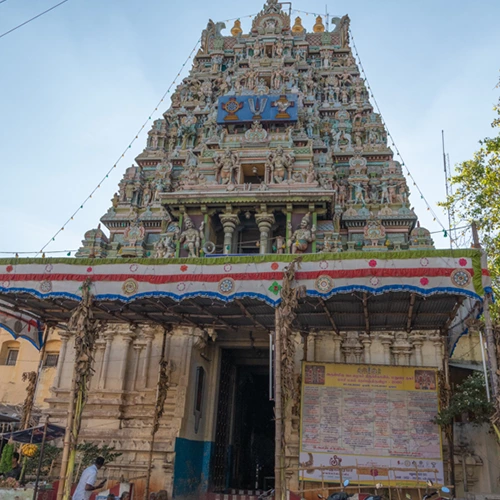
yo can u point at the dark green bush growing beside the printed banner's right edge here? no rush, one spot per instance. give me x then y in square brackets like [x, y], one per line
[468, 398]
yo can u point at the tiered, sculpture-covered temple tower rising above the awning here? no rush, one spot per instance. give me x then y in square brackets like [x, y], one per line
[270, 145]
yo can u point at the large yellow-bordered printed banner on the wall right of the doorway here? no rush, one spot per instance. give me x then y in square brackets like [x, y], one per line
[376, 419]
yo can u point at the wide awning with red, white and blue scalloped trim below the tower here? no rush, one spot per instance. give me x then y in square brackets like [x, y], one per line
[409, 290]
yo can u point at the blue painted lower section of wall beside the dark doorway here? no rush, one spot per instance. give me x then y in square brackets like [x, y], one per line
[192, 466]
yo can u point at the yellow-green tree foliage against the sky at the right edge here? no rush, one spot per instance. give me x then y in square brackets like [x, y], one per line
[477, 196]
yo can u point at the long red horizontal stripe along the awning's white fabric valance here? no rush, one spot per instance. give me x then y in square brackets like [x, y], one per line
[212, 278]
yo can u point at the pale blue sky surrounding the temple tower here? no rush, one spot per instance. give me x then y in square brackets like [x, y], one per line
[78, 83]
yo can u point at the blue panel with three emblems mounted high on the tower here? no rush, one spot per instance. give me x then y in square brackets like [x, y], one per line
[247, 108]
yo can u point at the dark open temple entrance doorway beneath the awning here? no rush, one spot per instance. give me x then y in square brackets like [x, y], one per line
[244, 444]
